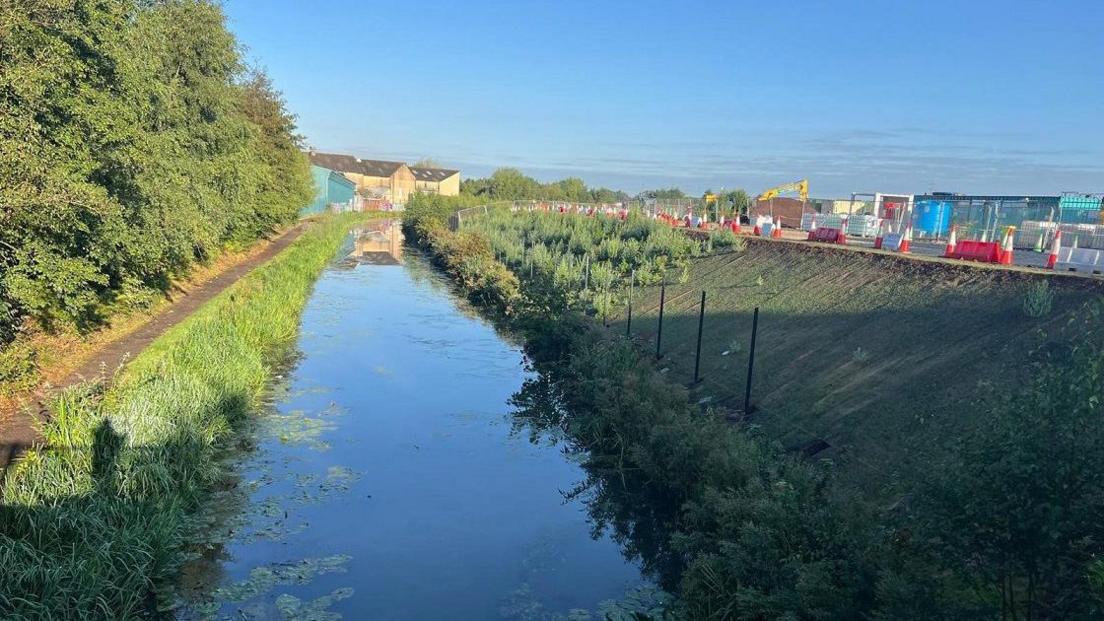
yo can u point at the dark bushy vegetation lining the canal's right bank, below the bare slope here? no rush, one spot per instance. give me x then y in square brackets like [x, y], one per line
[1005, 525]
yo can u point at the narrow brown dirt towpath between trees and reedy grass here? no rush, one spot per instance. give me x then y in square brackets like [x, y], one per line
[17, 429]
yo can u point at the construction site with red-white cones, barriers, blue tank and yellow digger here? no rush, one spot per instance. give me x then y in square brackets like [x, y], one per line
[1063, 233]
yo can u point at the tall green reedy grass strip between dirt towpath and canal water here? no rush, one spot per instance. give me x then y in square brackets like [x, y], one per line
[93, 524]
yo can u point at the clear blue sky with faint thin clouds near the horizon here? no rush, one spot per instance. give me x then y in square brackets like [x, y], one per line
[979, 97]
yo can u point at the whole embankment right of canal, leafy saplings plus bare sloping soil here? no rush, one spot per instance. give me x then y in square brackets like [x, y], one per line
[879, 357]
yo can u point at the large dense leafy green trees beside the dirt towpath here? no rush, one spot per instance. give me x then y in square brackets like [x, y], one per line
[134, 142]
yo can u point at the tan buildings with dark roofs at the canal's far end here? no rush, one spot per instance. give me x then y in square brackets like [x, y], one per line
[394, 182]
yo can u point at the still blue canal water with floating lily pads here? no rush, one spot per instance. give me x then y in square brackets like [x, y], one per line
[389, 480]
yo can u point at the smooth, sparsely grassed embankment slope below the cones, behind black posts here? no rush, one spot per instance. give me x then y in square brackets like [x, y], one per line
[880, 357]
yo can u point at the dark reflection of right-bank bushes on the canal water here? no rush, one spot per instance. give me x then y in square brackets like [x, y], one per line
[639, 515]
